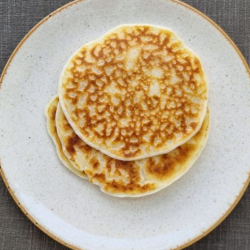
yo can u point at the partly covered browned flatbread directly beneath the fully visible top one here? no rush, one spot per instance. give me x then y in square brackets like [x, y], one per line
[127, 178]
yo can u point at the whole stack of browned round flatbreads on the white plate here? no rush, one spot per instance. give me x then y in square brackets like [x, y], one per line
[131, 112]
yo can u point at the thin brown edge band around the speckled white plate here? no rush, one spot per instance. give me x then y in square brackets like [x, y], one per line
[64, 7]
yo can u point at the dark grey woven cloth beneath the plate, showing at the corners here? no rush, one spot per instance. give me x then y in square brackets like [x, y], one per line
[17, 17]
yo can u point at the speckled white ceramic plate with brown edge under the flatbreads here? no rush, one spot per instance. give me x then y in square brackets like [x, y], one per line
[76, 213]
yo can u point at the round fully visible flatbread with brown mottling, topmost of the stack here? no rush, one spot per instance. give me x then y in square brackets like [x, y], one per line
[135, 92]
